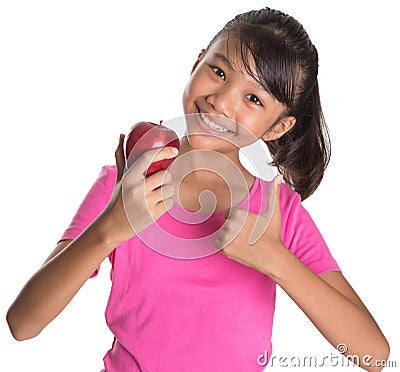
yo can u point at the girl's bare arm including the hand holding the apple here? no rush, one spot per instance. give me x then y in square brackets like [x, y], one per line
[65, 271]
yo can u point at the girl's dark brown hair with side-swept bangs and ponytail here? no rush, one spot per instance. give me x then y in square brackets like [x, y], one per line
[286, 64]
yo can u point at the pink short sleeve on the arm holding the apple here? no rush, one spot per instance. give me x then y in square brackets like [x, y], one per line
[92, 205]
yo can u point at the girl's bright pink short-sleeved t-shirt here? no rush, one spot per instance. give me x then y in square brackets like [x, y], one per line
[206, 314]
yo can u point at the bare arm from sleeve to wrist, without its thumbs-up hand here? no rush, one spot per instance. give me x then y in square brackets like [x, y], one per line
[332, 306]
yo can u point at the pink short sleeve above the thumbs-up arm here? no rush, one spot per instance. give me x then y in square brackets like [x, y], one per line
[301, 235]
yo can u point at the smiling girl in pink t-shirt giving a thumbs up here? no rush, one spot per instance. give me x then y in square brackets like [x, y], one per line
[257, 79]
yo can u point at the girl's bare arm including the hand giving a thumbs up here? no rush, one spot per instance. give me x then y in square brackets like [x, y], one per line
[327, 300]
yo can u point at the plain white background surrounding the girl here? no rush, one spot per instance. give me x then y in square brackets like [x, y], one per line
[74, 74]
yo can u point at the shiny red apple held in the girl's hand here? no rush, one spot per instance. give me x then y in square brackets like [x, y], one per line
[145, 136]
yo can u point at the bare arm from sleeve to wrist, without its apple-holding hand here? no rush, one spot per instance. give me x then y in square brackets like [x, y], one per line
[54, 285]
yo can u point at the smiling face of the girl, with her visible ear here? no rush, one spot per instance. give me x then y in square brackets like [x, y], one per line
[230, 108]
